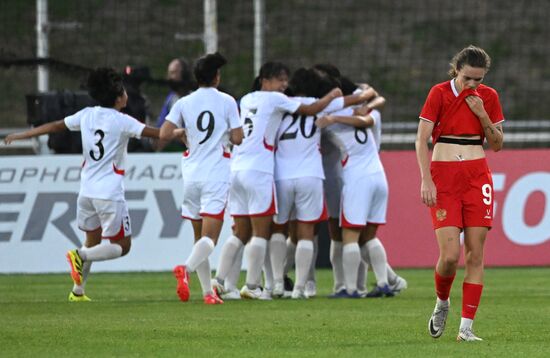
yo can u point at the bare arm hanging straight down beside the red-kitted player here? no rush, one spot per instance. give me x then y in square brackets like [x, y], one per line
[427, 189]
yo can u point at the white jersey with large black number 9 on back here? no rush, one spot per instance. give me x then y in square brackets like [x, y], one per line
[207, 115]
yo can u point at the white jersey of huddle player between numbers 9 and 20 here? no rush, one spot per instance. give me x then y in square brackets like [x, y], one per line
[261, 114]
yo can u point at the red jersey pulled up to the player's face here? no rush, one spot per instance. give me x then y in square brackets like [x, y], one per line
[449, 111]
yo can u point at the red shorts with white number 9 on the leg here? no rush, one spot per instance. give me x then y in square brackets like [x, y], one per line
[464, 194]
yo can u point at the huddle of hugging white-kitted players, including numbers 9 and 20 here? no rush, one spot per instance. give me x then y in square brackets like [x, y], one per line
[274, 181]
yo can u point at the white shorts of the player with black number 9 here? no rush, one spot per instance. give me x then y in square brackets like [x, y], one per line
[204, 198]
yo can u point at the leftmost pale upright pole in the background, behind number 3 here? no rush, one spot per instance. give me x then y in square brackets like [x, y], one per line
[42, 28]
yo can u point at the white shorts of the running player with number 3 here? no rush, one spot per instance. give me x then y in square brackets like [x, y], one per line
[111, 216]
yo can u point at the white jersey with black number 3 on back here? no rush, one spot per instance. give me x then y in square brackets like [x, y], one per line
[105, 133]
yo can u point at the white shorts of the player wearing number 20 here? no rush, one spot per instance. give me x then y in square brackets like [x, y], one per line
[301, 199]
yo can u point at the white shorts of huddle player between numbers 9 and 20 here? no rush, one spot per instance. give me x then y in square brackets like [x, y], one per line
[252, 193]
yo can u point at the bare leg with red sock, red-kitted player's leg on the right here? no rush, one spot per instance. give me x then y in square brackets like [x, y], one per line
[474, 240]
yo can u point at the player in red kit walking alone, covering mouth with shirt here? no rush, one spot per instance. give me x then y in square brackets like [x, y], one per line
[457, 186]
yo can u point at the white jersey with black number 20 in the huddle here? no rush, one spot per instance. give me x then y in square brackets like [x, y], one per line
[298, 143]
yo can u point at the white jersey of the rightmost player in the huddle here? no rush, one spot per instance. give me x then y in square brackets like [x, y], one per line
[357, 145]
